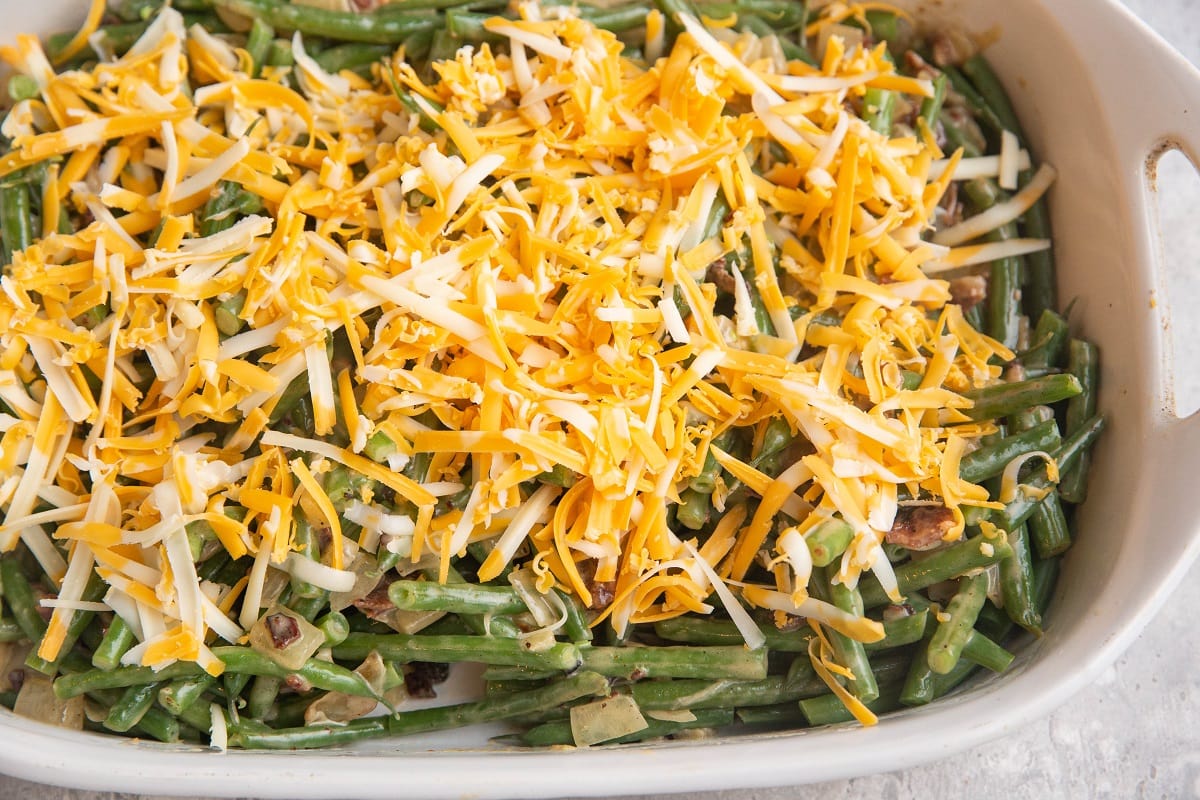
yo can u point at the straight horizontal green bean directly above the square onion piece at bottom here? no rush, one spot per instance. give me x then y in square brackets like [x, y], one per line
[735, 663]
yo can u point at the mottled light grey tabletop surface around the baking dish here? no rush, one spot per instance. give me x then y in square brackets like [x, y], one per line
[1132, 735]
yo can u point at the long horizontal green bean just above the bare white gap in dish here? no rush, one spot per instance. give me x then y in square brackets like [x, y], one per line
[452, 649]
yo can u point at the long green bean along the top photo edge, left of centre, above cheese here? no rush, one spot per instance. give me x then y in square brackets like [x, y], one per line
[373, 27]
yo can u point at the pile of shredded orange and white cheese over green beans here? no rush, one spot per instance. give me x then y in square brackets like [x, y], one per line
[535, 274]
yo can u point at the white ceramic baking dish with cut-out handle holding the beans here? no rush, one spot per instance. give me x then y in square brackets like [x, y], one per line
[1101, 97]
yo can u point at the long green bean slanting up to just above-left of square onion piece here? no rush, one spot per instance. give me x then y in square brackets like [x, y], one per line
[424, 720]
